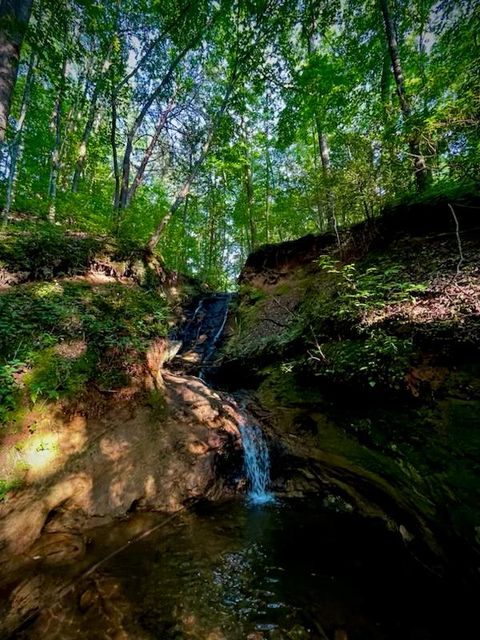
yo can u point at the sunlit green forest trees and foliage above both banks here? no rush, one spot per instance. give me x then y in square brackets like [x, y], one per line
[204, 128]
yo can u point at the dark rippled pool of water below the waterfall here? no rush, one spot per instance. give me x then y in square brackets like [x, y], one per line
[286, 570]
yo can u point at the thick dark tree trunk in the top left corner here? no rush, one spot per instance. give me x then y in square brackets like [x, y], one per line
[14, 18]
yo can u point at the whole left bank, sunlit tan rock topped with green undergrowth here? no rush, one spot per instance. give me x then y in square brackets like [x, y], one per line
[92, 424]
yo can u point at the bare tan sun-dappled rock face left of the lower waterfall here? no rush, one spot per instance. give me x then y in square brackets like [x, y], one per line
[128, 456]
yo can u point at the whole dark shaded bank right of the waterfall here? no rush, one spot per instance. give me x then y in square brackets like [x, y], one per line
[363, 365]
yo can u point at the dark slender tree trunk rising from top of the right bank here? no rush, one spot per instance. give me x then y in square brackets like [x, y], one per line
[422, 173]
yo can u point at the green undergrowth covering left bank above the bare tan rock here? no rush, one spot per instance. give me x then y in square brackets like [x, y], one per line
[58, 337]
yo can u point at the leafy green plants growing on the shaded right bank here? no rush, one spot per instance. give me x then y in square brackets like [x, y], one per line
[346, 348]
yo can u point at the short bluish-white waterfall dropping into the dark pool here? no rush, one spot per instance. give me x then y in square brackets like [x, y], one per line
[256, 463]
